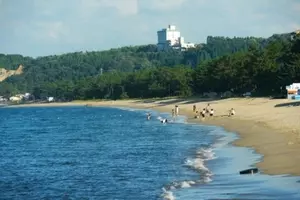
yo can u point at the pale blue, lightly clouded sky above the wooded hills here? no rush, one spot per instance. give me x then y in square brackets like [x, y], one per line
[47, 27]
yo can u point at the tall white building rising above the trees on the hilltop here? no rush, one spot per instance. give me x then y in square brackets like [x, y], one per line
[171, 38]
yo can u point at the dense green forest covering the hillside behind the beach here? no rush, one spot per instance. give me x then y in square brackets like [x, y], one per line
[262, 66]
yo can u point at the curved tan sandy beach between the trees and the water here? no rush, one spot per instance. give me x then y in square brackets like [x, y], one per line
[270, 126]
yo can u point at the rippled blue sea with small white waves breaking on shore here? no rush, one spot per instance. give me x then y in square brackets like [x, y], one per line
[91, 153]
